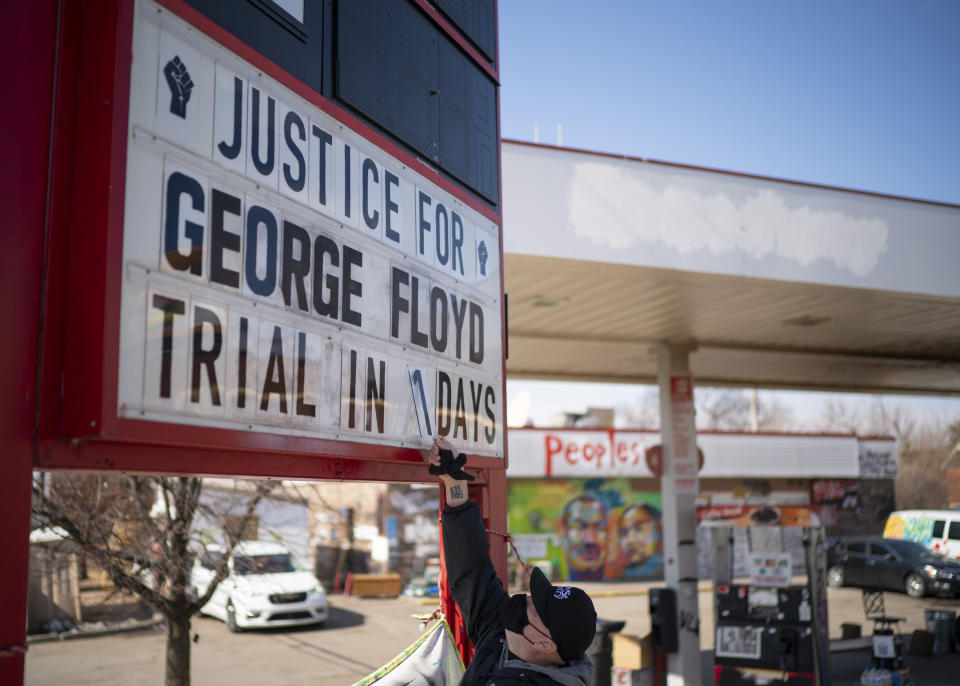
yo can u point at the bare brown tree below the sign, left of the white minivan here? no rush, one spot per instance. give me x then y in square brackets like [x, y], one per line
[139, 531]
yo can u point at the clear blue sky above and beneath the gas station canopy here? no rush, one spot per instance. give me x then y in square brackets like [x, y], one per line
[861, 94]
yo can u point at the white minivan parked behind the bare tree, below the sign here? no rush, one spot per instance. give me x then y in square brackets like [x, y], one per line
[265, 587]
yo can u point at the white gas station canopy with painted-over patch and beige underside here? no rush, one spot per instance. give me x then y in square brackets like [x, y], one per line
[777, 284]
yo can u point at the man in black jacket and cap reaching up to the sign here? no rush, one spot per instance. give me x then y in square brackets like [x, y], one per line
[536, 638]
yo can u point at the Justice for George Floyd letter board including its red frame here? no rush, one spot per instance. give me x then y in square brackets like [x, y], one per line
[252, 276]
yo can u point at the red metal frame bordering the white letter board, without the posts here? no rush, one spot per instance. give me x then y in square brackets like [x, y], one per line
[82, 329]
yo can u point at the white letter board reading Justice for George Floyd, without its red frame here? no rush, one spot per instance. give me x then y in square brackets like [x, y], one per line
[283, 274]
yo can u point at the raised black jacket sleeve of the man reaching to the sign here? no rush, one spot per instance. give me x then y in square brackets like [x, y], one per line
[474, 583]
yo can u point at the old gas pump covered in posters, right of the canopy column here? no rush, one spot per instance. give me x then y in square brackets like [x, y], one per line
[770, 606]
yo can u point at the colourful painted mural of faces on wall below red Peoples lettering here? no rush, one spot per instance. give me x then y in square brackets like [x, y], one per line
[588, 529]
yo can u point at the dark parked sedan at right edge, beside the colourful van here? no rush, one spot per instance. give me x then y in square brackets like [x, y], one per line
[888, 564]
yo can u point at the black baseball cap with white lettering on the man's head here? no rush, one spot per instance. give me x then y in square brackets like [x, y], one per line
[567, 612]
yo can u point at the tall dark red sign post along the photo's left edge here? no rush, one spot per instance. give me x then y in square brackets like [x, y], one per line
[30, 38]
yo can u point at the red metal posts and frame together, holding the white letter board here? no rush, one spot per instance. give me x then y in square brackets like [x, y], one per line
[62, 277]
